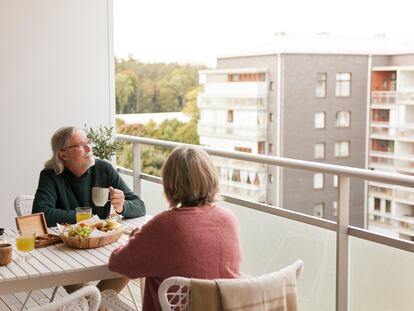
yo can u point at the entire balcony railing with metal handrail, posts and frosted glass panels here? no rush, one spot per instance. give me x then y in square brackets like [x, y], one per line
[346, 268]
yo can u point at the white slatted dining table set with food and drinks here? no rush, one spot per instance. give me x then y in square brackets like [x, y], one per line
[58, 264]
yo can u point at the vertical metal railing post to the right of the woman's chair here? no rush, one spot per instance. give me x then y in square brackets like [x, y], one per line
[342, 244]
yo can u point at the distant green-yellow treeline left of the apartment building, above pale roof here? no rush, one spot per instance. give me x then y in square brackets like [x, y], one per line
[158, 87]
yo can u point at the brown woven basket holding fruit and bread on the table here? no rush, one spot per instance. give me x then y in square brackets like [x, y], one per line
[92, 242]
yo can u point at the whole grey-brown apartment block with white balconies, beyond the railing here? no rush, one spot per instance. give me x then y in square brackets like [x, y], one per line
[314, 104]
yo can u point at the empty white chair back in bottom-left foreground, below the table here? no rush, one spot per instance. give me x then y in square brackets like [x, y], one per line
[87, 298]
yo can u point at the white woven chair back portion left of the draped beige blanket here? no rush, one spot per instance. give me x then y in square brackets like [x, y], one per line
[179, 300]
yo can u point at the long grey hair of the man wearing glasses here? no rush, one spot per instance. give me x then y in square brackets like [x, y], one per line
[59, 141]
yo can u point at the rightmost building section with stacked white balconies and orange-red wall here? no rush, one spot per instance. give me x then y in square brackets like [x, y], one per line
[391, 208]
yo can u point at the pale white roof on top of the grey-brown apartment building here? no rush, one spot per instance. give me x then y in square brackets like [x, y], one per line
[324, 43]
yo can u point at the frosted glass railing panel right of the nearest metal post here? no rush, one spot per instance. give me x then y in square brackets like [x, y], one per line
[380, 277]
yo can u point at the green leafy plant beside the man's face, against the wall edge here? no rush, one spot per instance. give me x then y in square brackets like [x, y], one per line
[104, 145]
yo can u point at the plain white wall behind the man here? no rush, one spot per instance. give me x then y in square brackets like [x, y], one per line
[56, 60]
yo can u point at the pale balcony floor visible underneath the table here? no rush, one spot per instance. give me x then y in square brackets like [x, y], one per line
[13, 302]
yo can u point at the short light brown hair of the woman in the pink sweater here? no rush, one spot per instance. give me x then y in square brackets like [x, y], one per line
[189, 177]
